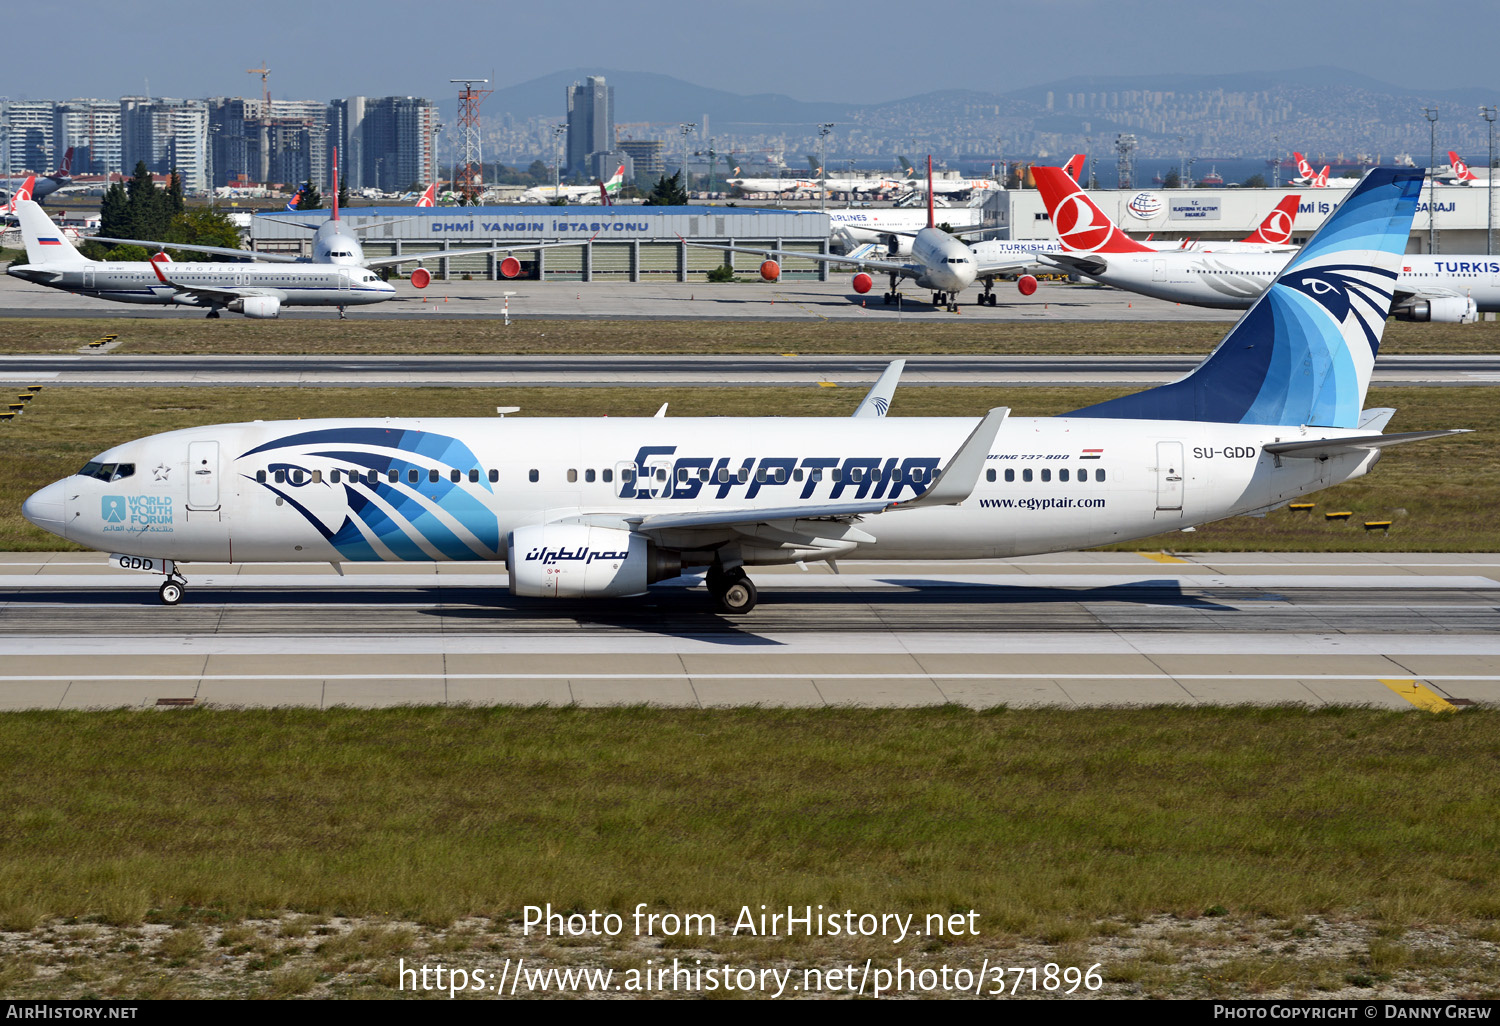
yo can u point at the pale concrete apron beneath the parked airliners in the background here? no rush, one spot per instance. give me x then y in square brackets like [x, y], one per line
[752, 301]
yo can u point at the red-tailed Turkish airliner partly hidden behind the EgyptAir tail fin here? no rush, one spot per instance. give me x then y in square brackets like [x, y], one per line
[1429, 287]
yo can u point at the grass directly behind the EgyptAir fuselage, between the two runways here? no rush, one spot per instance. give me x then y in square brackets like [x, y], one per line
[1441, 496]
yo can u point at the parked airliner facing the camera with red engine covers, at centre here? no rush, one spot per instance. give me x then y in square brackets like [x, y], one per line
[940, 262]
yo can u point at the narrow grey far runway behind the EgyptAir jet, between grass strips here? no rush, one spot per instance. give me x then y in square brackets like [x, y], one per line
[109, 370]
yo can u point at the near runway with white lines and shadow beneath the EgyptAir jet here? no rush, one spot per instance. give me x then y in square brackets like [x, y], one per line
[1397, 631]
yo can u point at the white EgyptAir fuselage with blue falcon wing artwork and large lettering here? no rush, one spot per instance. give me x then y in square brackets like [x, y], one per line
[454, 490]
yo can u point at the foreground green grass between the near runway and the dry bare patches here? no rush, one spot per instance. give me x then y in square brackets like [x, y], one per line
[1030, 817]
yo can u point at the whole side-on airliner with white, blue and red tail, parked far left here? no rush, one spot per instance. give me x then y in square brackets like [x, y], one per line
[254, 289]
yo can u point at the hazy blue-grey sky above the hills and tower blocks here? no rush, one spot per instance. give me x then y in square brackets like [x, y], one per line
[853, 52]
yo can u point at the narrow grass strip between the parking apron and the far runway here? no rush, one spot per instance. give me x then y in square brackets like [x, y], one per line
[604, 337]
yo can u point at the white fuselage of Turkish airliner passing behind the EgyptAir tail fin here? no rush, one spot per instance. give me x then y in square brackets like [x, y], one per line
[1235, 281]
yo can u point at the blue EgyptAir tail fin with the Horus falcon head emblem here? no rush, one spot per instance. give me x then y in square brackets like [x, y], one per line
[1304, 353]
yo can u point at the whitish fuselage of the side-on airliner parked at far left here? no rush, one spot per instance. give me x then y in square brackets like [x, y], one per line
[137, 283]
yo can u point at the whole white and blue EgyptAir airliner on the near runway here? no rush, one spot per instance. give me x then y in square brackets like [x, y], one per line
[604, 508]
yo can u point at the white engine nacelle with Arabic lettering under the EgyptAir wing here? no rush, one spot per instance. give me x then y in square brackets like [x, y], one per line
[578, 562]
